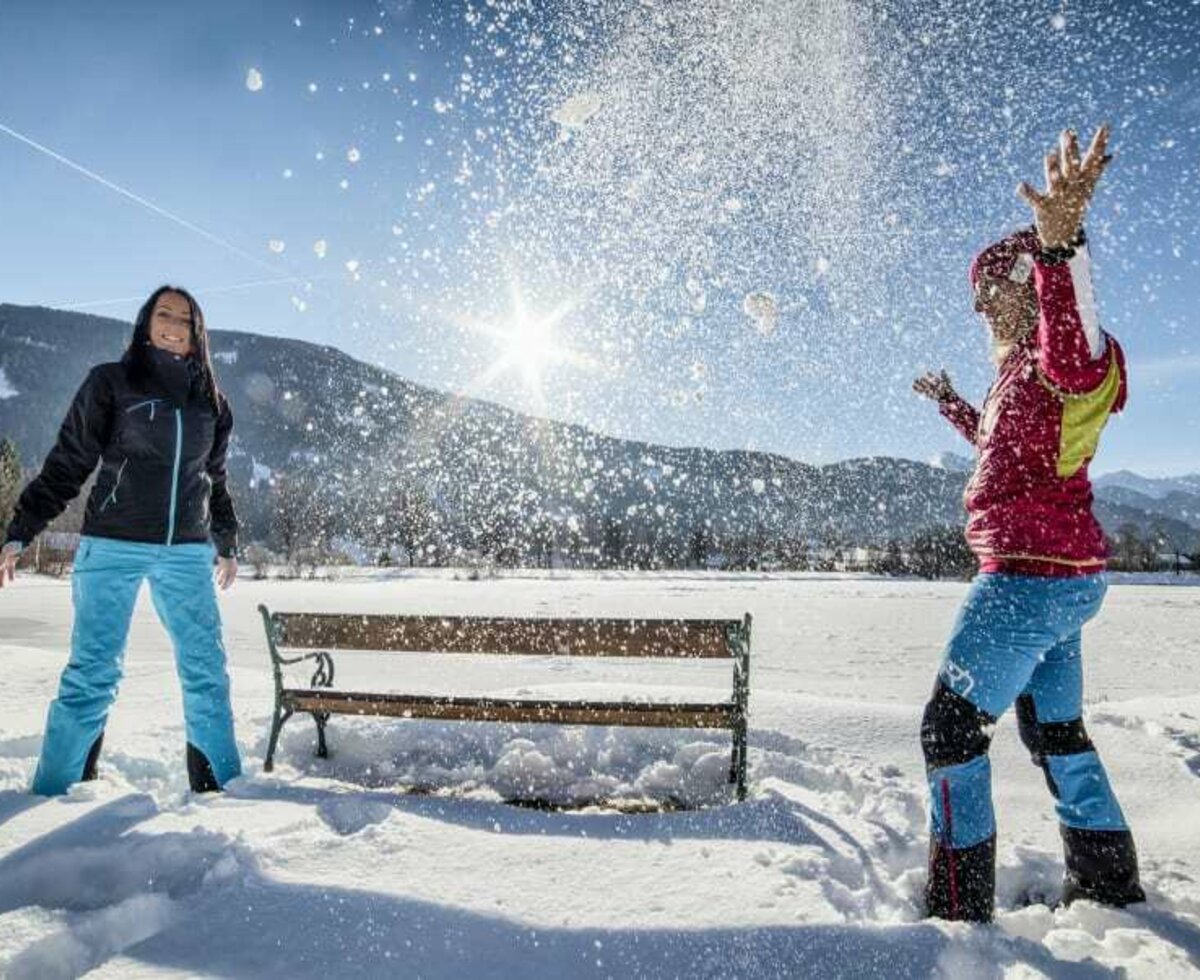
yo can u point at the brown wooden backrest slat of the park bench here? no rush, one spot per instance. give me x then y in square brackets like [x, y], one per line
[478, 635]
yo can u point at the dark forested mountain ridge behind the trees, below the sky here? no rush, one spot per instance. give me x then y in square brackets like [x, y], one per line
[367, 444]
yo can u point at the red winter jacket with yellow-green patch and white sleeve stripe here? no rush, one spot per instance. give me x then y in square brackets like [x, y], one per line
[1030, 501]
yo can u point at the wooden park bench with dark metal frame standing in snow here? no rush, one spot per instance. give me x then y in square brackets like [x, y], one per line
[296, 638]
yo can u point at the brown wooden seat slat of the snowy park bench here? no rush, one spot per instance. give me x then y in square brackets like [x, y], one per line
[631, 714]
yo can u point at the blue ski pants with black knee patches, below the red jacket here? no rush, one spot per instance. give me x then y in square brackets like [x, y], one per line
[1017, 640]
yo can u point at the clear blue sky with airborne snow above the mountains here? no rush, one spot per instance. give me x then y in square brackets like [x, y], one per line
[633, 173]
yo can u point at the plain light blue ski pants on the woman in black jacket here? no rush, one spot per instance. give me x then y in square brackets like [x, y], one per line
[105, 585]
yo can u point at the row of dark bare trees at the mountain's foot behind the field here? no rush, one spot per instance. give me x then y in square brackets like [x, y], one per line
[301, 524]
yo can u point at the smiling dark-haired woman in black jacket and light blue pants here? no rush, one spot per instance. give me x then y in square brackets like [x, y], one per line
[159, 428]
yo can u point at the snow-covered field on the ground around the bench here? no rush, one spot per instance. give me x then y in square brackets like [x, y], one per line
[399, 856]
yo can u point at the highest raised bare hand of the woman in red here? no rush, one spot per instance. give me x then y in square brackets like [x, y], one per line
[1071, 183]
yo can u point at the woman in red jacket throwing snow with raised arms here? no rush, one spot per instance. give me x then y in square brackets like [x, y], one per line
[1042, 557]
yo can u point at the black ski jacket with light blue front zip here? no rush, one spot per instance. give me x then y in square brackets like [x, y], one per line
[163, 466]
